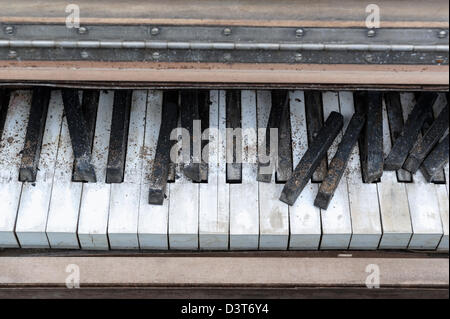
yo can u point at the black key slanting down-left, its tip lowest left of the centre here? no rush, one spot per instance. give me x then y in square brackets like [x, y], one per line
[161, 163]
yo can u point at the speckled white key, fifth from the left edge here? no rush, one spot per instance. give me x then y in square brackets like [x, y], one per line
[124, 205]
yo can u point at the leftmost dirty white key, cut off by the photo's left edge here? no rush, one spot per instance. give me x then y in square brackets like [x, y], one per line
[11, 145]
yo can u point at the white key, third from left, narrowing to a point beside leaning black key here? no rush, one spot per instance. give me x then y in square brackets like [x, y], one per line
[64, 208]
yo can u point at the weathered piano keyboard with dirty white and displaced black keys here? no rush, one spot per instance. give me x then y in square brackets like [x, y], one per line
[70, 184]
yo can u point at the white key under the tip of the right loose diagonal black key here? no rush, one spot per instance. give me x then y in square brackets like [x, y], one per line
[336, 220]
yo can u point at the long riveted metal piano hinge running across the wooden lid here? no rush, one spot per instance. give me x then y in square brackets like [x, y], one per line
[149, 43]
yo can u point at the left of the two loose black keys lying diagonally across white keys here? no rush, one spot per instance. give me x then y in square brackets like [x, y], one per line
[309, 162]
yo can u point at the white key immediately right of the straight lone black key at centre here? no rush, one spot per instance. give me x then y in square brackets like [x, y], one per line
[244, 214]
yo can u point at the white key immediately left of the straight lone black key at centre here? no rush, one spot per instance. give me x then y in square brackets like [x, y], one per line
[214, 196]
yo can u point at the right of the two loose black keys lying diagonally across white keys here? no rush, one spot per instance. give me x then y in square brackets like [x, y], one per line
[339, 162]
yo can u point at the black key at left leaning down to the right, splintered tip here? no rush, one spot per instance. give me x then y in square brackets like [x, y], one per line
[79, 136]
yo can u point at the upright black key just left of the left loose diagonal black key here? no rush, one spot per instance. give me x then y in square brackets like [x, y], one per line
[285, 164]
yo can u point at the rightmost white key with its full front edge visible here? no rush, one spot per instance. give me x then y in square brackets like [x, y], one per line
[423, 201]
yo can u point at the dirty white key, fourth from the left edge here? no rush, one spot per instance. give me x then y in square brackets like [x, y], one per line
[94, 208]
